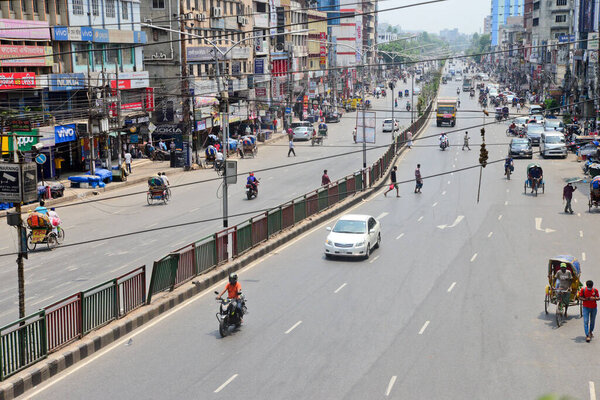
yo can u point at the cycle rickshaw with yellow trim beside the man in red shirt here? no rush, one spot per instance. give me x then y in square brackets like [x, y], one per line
[552, 294]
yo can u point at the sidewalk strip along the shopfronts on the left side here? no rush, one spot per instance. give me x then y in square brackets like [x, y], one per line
[141, 169]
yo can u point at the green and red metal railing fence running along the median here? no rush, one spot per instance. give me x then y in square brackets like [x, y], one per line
[28, 340]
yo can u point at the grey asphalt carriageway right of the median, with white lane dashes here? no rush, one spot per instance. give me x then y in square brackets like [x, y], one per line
[450, 306]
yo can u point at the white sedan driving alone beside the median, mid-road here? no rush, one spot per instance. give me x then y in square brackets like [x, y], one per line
[353, 235]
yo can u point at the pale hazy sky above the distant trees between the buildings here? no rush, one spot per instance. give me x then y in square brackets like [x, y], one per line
[466, 15]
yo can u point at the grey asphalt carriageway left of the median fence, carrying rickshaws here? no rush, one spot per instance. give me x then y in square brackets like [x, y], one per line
[197, 201]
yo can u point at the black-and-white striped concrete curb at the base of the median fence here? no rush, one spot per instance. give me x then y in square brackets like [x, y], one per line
[63, 359]
